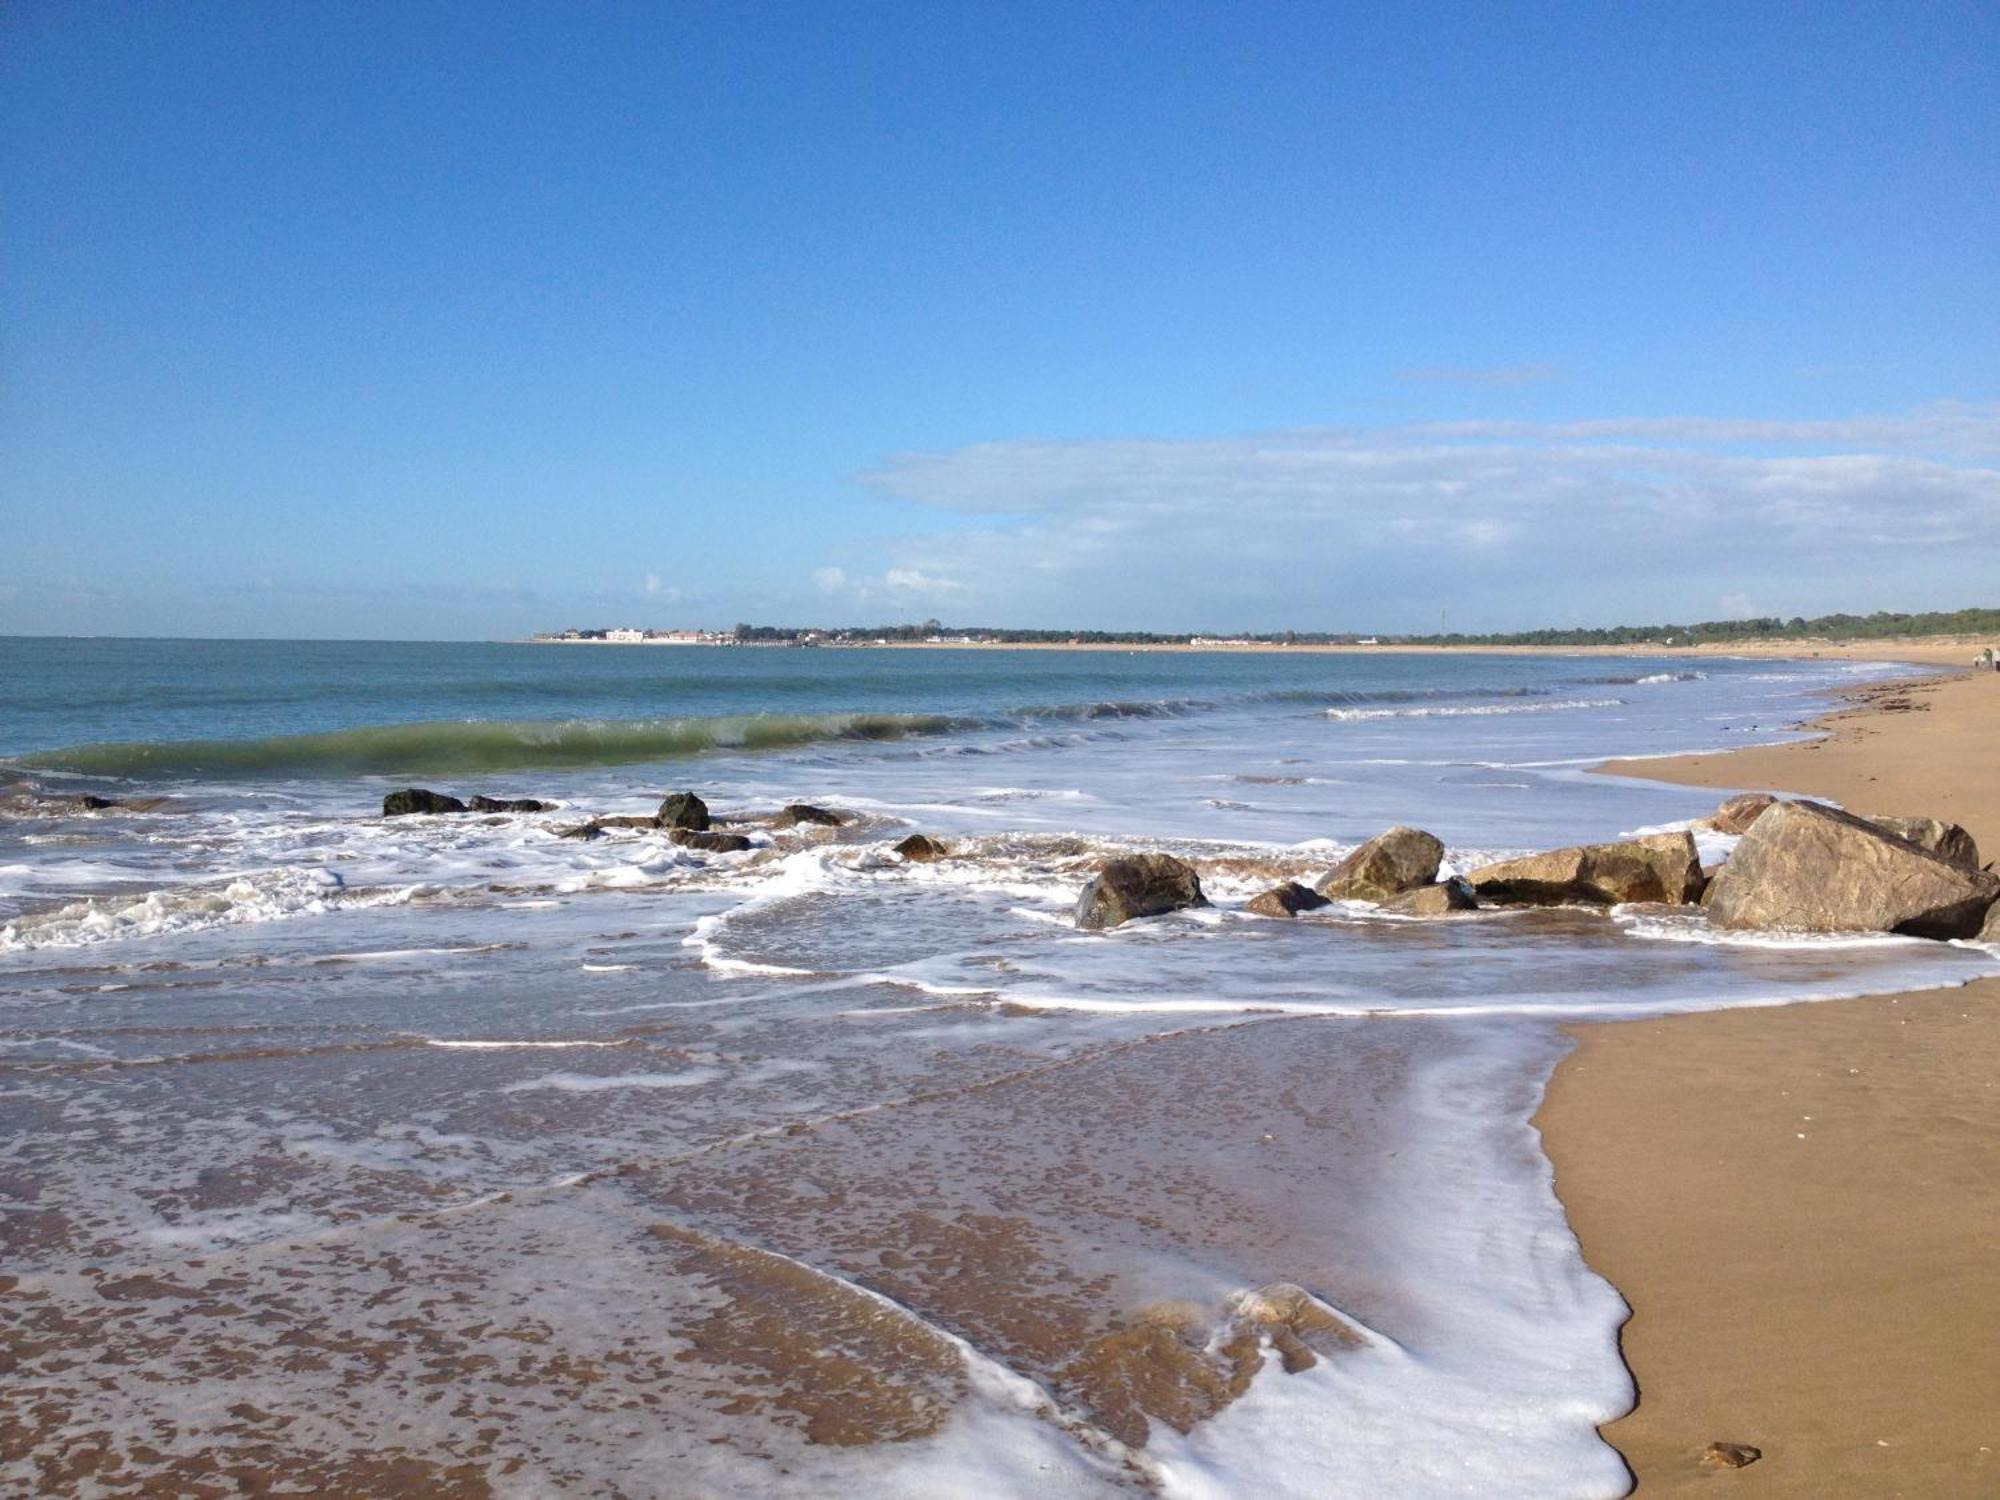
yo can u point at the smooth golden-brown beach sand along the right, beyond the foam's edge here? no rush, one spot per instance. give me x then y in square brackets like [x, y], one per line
[1803, 1205]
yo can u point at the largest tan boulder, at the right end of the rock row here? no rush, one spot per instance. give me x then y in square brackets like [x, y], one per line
[1815, 869]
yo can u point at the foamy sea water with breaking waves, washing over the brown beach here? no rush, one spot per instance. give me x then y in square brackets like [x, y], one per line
[459, 1155]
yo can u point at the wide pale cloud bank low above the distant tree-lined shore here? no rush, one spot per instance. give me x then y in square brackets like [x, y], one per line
[1373, 527]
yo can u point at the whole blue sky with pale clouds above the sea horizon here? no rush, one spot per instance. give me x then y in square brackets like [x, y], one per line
[473, 319]
